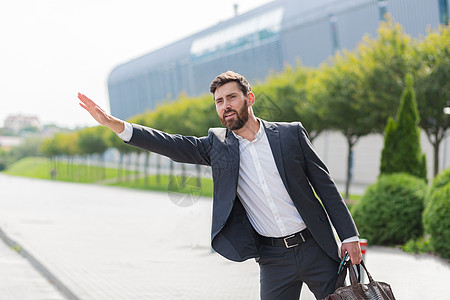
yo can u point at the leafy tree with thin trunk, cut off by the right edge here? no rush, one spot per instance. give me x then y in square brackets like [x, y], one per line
[433, 87]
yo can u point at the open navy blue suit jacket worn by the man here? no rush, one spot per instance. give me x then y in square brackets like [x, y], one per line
[301, 171]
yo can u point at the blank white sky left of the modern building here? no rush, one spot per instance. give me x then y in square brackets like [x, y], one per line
[52, 49]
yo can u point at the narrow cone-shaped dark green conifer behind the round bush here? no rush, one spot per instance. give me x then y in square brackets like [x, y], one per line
[402, 151]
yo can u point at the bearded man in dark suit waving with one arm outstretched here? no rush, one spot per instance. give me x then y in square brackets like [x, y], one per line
[266, 177]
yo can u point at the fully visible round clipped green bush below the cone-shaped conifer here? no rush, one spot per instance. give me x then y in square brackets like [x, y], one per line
[390, 211]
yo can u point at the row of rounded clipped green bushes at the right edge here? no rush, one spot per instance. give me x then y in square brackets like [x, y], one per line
[400, 207]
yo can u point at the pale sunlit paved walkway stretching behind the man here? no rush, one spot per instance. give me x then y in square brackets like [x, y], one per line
[112, 243]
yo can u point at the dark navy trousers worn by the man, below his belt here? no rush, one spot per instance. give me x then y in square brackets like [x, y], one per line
[284, 270]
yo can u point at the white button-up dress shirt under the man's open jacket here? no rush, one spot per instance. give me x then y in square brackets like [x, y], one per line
[264, 196]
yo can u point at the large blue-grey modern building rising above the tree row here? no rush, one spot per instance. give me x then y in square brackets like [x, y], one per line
[258, 41]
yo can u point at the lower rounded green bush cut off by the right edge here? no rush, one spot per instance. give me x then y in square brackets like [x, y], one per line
[436, 220]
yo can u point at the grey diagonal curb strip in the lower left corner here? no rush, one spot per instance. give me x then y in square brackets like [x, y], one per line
[61, 287]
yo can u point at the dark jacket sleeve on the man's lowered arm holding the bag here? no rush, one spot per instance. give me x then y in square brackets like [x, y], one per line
[326, 189]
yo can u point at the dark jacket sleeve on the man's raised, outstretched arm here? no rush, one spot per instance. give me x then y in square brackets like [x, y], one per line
[179, 148]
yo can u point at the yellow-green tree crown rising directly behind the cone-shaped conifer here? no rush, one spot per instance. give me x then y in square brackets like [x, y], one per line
[384, 62]
